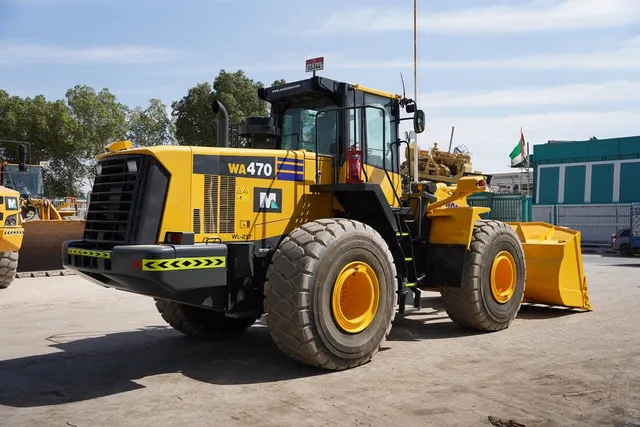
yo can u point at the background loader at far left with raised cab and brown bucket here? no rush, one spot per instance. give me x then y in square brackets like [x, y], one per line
[45, 227]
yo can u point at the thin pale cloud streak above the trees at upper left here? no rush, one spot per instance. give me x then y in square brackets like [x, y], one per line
[13, 53]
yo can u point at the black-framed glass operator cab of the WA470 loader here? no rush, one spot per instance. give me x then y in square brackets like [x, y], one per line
[328, 117]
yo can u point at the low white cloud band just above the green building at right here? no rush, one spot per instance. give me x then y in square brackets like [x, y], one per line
[491, 139]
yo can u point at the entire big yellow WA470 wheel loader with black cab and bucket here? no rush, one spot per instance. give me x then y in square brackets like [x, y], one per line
[307, 224]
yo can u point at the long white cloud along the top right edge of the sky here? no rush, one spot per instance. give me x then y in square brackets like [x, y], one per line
[562, 15]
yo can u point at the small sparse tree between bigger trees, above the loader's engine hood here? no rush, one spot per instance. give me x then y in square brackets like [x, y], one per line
[150, 126]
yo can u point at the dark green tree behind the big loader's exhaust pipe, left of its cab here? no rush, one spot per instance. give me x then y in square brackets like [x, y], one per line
[194, 120]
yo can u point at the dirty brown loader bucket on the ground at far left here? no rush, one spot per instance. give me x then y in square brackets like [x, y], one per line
[42, 244]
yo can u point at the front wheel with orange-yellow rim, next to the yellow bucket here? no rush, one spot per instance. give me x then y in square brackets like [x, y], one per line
[493, 280]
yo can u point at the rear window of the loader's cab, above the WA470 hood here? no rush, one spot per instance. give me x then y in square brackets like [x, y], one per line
[298, 124]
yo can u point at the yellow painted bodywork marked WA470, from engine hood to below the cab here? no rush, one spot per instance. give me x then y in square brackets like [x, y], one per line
[248, 194]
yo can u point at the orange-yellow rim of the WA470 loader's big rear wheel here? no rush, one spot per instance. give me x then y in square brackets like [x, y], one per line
[355, 297]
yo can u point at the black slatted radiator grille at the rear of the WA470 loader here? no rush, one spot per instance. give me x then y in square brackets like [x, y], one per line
[113, 200]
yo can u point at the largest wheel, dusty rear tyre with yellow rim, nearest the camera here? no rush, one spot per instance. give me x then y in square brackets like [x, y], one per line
[330, 294]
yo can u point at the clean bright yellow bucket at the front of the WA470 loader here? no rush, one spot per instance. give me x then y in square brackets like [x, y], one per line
[553, 256]
